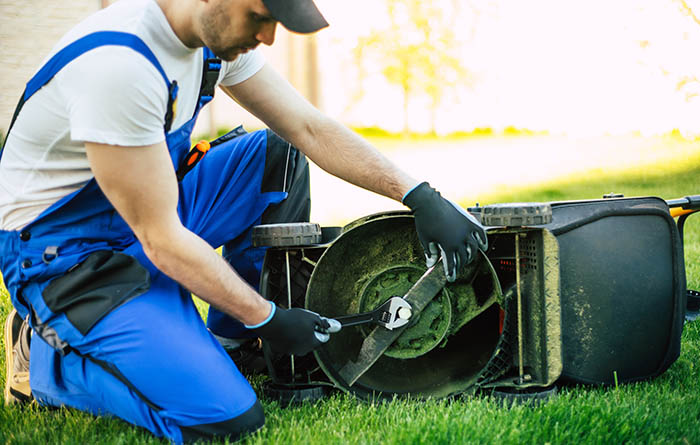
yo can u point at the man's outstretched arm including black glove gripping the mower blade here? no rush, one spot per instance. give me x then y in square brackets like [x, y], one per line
[444, 229]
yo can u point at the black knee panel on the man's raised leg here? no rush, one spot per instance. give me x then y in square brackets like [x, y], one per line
[286, 169]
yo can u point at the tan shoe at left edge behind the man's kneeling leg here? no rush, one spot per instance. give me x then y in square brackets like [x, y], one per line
[17, 337]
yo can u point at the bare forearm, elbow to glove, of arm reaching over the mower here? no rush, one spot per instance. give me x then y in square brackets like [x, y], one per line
[344, 154]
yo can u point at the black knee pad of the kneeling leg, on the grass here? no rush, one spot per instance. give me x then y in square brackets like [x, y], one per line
[233, 429]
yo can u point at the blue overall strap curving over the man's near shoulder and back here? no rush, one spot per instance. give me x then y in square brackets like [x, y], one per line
[80, 47]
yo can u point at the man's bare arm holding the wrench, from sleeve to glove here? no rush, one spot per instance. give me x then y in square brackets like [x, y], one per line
[140, 183]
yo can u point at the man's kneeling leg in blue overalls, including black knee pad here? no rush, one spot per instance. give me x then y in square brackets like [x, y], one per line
[152, 362]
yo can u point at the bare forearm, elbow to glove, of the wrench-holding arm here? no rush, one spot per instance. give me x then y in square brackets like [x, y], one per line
[190, 261]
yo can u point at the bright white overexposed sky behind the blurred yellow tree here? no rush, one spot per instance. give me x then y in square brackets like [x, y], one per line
[564, 66]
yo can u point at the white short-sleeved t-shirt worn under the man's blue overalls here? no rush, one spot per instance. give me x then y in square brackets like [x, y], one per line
[110, 95]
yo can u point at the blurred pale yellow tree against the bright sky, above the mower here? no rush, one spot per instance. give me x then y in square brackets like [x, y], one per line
[417, 51]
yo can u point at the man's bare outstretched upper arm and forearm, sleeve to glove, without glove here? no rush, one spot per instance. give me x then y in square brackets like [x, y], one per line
[328, 143]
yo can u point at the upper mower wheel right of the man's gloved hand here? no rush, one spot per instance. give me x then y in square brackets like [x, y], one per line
[516, 214]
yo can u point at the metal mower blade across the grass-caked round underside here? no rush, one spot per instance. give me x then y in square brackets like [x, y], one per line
[379, 340]
